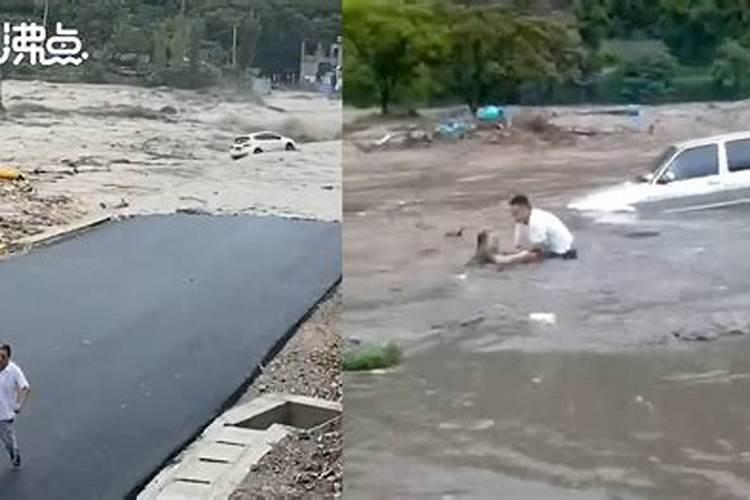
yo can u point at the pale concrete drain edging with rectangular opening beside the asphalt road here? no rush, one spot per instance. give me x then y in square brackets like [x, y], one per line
[216, 464]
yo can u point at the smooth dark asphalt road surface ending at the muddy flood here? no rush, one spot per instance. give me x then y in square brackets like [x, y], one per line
[134, 335]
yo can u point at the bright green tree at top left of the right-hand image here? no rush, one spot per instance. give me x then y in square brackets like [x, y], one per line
[391, 40]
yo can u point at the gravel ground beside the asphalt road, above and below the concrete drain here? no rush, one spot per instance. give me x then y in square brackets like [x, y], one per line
[305, 465]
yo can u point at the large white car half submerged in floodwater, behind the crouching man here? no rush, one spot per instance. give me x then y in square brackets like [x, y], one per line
[692, 175]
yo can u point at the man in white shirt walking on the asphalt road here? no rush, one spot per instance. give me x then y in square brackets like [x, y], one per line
[14, 389]
